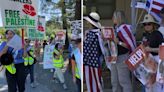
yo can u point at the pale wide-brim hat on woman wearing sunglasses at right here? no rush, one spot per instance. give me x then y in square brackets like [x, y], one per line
[149, 19]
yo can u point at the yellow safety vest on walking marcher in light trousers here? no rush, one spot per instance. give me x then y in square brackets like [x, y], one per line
[58, 62]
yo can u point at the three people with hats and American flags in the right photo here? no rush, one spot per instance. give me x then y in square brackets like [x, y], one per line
[94, 51]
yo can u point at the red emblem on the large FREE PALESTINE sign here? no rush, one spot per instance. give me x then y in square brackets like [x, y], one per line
[29, 9]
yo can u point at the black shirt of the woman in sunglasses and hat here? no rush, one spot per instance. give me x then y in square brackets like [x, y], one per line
[154, 39]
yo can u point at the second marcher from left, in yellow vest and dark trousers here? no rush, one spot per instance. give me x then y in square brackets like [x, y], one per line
[29, 61]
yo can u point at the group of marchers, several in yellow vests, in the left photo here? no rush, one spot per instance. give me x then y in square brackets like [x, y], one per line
[19, 63]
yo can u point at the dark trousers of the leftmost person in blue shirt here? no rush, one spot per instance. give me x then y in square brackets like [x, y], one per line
[16, 80]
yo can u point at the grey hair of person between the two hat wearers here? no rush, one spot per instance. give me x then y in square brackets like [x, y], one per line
[120, 17]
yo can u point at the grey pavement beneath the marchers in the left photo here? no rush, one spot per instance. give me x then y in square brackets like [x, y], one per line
[43, 80]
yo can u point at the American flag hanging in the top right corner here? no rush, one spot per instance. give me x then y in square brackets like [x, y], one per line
[153, 7]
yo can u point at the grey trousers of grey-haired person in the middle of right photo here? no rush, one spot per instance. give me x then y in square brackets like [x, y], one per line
[120, 75]
